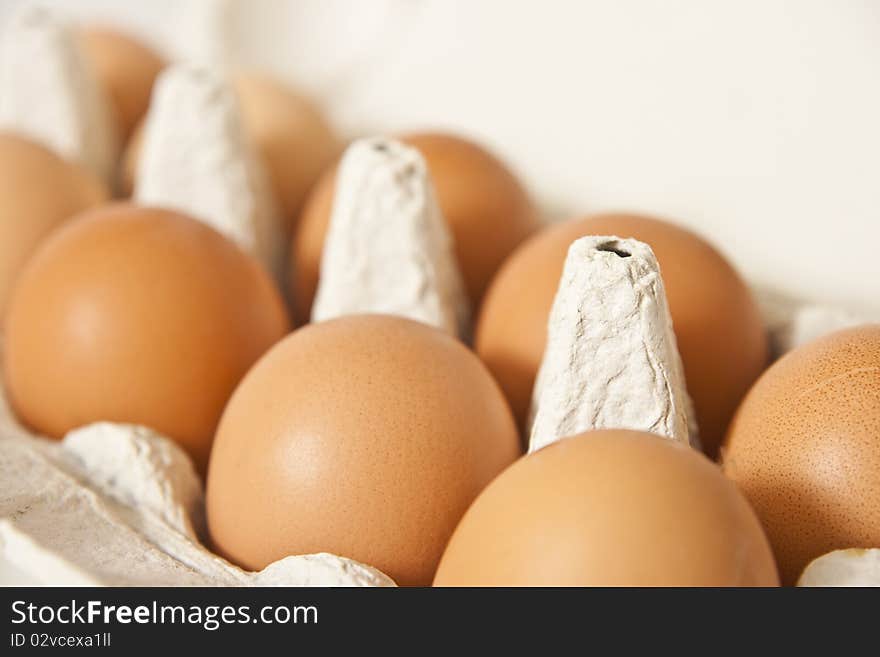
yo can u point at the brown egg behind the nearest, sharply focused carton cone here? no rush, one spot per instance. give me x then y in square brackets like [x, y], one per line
[717, 324]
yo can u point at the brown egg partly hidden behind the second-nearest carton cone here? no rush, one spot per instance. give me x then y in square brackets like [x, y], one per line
[485, 206]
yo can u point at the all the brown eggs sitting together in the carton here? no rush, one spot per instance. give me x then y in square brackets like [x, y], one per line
[371, 436]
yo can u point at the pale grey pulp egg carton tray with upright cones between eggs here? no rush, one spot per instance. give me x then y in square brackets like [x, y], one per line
[115, 504]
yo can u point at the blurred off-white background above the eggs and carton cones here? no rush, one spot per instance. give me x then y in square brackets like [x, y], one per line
[755, 122]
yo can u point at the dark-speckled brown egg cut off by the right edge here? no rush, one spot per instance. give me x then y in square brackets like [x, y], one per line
[804, 447]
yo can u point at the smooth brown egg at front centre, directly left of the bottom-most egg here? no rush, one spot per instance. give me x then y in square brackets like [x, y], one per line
[365, 436]
